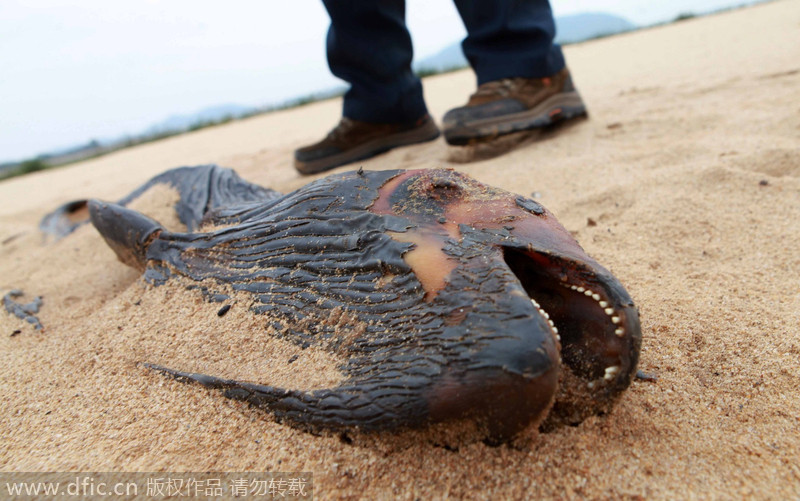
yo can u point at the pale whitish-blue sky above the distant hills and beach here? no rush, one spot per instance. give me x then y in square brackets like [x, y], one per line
[74, 70]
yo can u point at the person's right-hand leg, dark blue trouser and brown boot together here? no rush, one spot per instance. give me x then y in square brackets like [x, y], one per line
[523, 82]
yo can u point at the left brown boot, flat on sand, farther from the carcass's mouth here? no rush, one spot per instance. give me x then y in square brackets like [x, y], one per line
[352, 140]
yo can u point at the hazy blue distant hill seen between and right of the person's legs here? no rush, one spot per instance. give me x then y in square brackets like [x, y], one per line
[569, 29]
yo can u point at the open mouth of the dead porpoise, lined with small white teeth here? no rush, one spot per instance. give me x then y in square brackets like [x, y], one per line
[592, 318]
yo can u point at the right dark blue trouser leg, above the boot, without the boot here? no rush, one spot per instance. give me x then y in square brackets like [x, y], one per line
[510, 38]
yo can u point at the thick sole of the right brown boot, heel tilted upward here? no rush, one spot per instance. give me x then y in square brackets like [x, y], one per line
[557, 108]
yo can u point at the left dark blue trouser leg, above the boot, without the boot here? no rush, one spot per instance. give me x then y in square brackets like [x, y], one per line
[370, 48]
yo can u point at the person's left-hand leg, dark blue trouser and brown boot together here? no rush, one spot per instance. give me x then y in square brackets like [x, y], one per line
[370, 48]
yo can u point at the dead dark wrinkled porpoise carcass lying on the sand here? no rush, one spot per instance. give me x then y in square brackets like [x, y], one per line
[464, 301]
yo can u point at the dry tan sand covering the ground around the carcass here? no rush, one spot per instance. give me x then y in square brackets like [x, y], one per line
[689, 168]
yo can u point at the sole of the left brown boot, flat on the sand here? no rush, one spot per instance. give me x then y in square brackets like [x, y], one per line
[429, 132]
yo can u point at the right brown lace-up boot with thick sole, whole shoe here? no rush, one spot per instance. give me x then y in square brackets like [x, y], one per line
[513, 104]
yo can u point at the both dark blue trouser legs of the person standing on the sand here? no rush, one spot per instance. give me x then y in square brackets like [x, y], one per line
[370, 48]
